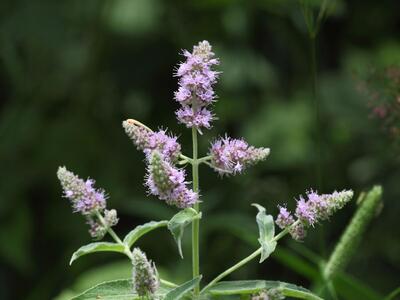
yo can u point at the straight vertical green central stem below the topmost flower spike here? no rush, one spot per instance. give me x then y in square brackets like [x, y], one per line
[196, 222]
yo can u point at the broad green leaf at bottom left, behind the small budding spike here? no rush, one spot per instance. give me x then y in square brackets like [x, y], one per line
[121, 289]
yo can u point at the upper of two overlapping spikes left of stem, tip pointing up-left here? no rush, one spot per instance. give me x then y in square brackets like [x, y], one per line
[147, 140]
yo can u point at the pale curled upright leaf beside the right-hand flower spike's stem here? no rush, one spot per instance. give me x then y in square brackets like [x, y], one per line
[267, 231]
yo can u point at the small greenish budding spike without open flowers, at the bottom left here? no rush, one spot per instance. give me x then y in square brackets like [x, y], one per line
[144, 274]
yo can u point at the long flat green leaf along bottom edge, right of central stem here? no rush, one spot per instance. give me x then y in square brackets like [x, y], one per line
[255, 286]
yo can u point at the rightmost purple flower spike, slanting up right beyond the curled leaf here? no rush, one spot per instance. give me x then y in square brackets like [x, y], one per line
[311, 210]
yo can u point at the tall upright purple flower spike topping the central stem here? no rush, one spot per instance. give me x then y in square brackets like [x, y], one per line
[195, 92]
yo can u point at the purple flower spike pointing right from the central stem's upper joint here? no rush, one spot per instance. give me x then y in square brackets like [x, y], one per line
[232, 156]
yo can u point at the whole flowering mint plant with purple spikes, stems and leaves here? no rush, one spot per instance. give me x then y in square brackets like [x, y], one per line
[166, 179]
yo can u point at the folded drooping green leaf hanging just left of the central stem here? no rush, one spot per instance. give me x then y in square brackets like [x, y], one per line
[178, 223]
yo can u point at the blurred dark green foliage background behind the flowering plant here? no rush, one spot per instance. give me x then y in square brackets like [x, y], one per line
[71, 71]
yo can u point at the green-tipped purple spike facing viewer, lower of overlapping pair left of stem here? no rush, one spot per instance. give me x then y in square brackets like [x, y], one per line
[168, 182]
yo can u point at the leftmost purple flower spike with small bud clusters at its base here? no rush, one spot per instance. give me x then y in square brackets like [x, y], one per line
[88, 201]
